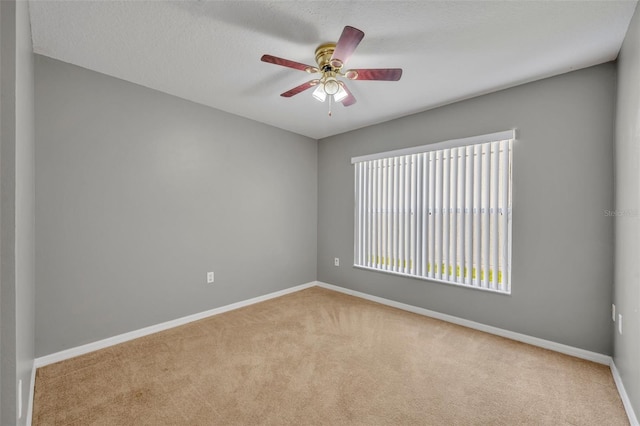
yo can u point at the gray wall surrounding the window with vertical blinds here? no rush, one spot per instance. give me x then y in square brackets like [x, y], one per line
[563, 182]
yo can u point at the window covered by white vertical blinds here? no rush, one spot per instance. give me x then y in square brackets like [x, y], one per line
[438, 212]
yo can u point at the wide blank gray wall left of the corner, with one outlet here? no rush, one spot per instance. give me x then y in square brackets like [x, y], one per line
[139, 194]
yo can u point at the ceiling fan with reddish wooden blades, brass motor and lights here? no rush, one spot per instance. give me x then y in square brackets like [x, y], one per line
[331, 57]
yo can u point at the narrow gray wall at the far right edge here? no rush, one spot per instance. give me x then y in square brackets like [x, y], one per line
[627, 195]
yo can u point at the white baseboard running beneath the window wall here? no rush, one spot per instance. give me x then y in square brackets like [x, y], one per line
[535, 341]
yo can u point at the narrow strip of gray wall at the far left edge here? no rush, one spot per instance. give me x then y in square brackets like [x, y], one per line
[16, 210]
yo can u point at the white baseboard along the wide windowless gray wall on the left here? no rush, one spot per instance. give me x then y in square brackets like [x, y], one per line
[105, 343]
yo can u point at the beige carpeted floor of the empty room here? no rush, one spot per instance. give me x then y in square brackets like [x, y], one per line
[318, 357]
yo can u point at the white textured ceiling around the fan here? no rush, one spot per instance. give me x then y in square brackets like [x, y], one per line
[209, 51]
